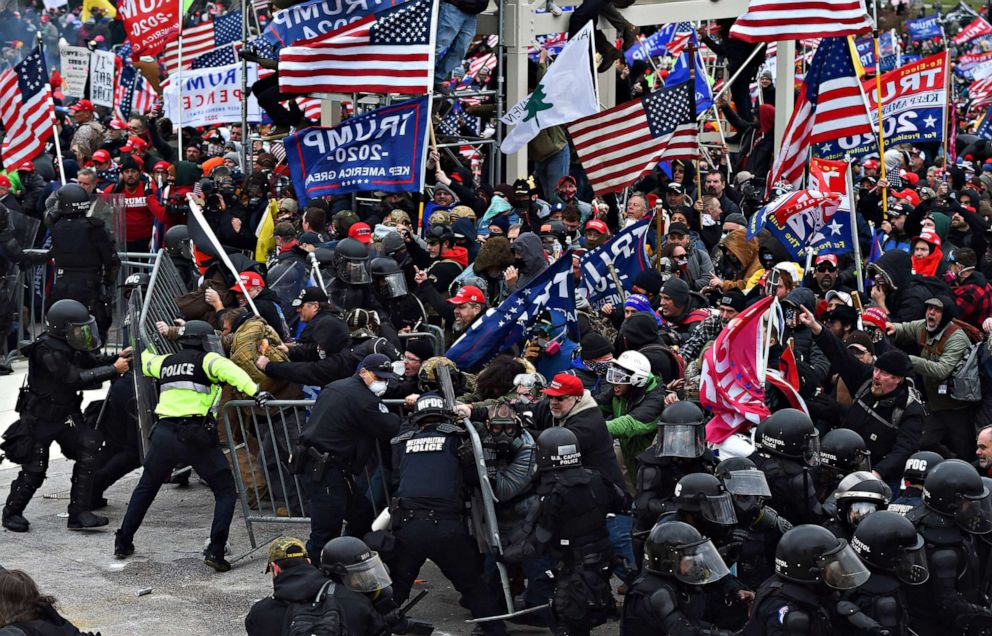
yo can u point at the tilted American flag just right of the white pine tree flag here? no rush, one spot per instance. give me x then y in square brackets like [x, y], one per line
[619, 145]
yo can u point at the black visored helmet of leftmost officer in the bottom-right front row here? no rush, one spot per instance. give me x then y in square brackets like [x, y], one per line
[676, 549]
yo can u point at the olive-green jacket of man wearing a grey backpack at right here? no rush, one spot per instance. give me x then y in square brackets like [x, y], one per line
[935, 368]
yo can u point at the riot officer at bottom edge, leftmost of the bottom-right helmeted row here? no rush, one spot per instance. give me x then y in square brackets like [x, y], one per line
[667, 597]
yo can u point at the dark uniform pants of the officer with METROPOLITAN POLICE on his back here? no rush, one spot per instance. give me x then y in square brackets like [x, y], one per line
[447, 543]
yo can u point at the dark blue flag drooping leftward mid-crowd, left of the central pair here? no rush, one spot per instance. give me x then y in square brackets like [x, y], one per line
[502, 327]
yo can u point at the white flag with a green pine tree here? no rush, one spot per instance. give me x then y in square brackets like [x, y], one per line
[564, 94]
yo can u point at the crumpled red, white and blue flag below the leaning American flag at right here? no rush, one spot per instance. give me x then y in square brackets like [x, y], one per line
[796, 219]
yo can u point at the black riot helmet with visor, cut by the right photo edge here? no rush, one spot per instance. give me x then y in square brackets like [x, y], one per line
[955, 489]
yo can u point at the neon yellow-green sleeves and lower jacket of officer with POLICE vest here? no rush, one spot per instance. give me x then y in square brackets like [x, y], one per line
[193, 402]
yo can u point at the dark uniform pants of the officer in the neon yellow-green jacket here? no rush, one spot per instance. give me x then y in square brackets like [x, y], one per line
[166, 451]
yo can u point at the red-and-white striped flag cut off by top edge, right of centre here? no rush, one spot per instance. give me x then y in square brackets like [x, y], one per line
[776, 20]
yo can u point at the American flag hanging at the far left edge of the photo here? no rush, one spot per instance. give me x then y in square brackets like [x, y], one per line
[26, 109]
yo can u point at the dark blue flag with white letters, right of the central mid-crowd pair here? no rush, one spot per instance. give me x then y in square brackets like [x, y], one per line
[627, 253]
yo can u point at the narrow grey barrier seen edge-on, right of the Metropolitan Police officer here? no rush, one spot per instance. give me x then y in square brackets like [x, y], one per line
[483, 509]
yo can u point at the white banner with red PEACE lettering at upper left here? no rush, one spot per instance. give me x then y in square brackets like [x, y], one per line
[211, 96]
